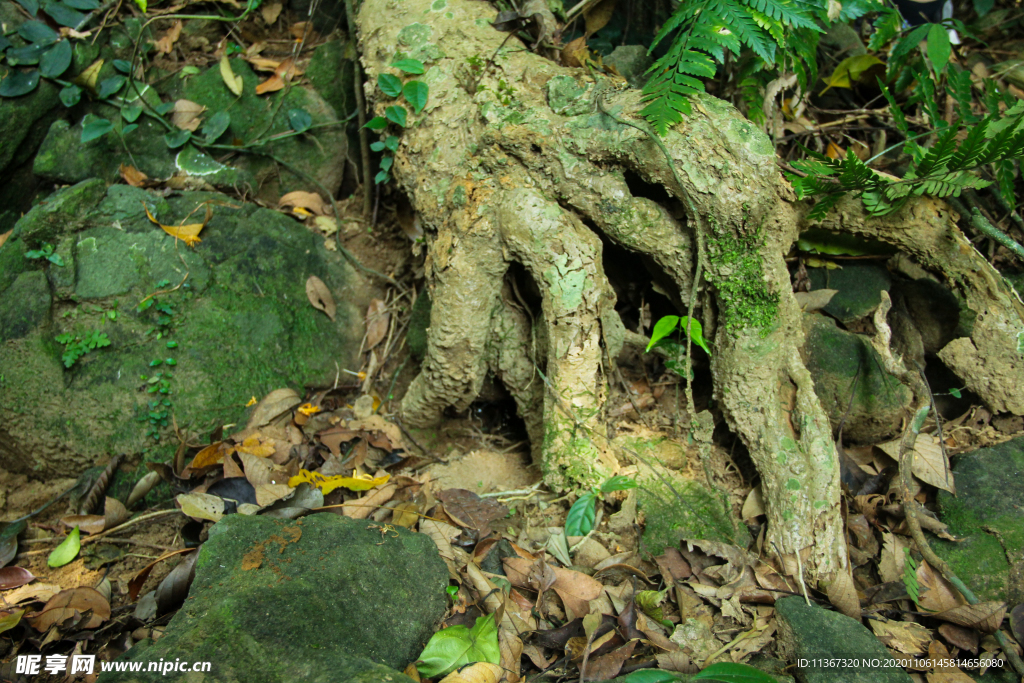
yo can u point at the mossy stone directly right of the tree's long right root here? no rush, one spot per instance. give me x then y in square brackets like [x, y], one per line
[834, 357]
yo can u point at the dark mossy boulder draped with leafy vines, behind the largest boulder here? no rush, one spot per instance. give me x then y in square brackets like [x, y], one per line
[270, 161]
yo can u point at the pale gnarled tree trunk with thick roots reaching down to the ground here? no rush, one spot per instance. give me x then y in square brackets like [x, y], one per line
[526, 168]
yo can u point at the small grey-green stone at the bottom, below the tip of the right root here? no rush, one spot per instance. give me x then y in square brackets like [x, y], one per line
[808, 632]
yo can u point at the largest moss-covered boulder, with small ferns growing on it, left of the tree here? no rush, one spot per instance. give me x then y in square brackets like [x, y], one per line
[221, 324]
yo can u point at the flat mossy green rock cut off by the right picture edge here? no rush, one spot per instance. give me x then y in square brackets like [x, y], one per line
[989, 514]
